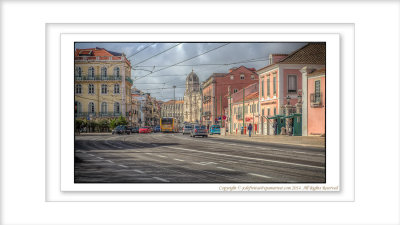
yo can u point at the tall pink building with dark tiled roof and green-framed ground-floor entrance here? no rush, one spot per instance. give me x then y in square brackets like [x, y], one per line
[282, 80]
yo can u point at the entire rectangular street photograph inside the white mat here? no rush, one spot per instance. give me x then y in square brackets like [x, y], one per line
[200, 113]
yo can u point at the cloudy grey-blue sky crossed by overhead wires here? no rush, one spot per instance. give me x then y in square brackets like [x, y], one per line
[159, 66]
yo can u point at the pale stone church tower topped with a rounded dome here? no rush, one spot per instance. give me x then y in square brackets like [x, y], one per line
[192, 99]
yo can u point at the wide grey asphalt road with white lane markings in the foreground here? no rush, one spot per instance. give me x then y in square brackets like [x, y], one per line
[175, 158]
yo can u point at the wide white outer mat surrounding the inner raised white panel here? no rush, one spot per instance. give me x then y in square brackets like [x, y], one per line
[30, 167]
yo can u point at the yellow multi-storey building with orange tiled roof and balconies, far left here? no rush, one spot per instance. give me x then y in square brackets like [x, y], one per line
[102, 84]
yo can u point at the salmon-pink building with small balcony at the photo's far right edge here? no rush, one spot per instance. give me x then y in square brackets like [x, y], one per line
[314, 106]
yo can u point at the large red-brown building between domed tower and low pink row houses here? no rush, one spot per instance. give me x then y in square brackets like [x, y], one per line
[218, 85]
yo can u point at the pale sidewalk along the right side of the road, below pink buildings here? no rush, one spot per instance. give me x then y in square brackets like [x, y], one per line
[312, 141]
